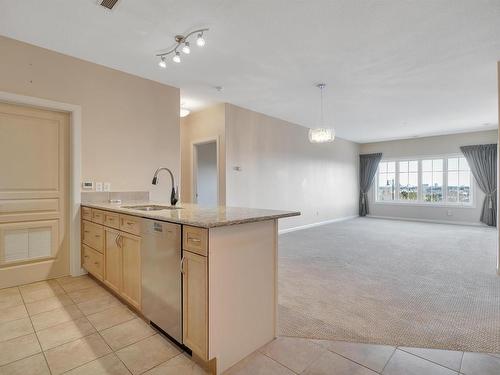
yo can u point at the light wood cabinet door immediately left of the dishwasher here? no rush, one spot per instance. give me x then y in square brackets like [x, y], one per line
[131, 258]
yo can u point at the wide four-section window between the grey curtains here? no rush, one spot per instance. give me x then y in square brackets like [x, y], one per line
[432, 181]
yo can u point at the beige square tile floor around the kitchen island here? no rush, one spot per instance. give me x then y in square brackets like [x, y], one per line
[74, 326]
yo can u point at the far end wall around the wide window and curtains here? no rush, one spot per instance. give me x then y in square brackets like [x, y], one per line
[430, 146]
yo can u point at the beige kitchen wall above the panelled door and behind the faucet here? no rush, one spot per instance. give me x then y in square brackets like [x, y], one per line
[130, 125]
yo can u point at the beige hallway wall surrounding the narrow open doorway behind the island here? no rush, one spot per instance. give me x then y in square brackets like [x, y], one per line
[199, 126]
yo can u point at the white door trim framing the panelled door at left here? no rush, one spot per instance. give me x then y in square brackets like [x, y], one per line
[75, 112]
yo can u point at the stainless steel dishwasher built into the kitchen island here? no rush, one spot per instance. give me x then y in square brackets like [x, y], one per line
[161, 276]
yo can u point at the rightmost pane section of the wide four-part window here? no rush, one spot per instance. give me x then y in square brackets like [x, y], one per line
[459, 189]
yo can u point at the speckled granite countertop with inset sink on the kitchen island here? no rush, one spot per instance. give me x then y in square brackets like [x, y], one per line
[192, 214]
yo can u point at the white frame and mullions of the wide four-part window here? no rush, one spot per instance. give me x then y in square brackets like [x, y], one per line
[420, 201]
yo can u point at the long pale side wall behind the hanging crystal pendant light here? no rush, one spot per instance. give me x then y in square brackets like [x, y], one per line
[281, 169]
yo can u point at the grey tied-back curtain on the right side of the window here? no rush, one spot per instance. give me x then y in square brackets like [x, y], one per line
[482, 160]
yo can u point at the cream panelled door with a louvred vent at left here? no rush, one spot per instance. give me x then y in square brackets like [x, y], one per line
[34, 194]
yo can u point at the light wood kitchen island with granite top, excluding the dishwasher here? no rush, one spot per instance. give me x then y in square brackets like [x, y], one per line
[227, 269]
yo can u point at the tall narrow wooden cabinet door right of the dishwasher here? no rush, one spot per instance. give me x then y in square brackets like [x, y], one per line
[195, 303]
